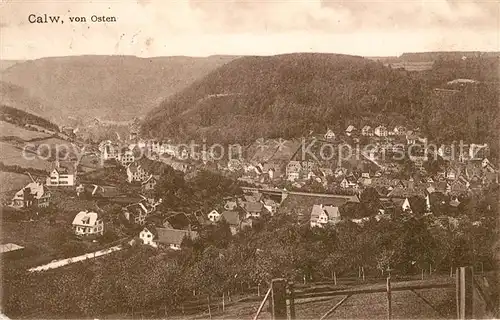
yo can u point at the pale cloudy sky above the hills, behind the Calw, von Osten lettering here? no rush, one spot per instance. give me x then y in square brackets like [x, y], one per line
[147, 28]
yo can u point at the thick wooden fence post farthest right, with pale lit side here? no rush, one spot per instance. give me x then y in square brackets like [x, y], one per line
[464, 280]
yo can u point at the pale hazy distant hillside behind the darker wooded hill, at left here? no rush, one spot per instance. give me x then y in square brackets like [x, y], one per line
[108, 87]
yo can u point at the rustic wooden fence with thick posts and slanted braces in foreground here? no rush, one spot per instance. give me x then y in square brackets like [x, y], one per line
[282, 296]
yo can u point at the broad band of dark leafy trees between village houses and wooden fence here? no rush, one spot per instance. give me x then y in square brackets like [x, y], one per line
[143, 278]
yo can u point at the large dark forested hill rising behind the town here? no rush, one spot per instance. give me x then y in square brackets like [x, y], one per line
[289, 95]
